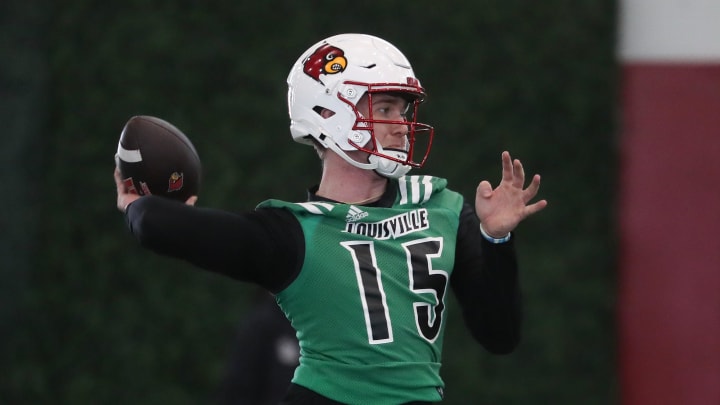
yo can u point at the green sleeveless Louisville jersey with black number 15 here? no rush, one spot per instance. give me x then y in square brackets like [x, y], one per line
[369, 302]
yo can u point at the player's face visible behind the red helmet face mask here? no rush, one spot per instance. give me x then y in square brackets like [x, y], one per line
[387, 107]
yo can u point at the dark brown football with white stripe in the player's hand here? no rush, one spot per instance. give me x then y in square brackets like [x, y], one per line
[154, 157]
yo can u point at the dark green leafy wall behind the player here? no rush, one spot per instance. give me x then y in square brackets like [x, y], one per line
[88, 317]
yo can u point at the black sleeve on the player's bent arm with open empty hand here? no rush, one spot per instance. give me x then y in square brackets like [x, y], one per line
[485, 283]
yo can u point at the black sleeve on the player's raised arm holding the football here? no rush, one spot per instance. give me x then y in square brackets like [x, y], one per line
[264, 246]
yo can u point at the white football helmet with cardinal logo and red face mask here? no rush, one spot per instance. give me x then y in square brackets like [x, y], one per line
[334, 74]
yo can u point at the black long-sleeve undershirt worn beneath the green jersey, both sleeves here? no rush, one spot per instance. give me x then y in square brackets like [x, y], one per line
[267, 247]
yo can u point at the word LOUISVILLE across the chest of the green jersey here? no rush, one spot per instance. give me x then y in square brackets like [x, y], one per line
[393, 227]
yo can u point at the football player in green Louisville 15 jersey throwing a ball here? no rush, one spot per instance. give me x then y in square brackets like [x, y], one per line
[363, 268]
